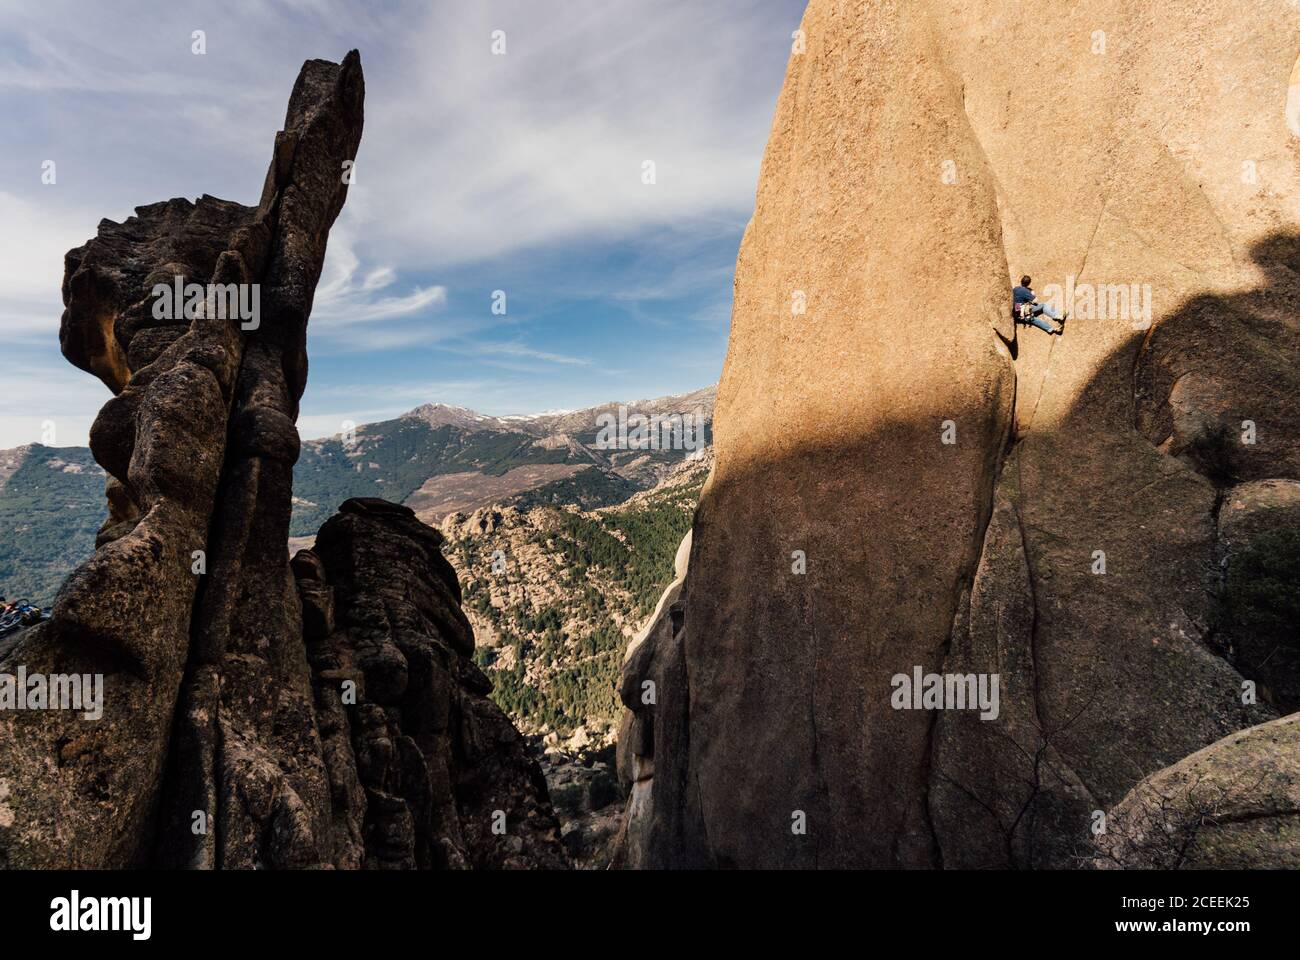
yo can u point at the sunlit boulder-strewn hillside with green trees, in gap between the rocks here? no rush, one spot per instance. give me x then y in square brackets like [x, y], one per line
[556, 593]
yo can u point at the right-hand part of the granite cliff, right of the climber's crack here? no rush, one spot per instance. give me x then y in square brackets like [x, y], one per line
[1132, 423]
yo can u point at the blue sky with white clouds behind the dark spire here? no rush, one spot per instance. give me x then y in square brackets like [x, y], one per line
[478, 174]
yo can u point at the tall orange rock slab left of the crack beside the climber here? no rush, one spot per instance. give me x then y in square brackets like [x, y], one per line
[834, 487]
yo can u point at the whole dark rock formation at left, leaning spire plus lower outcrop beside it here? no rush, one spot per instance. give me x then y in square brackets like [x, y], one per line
[219, 746]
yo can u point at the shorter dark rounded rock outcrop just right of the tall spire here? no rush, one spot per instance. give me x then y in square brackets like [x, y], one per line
[424, 771]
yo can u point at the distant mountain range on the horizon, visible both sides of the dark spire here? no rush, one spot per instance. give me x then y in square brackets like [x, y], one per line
[439, 460]
